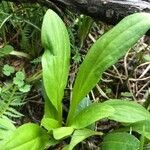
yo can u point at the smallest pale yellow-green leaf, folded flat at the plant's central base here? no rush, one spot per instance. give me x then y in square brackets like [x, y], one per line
[62, 132]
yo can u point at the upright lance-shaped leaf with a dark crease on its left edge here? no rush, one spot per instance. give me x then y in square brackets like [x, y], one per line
[55, 60]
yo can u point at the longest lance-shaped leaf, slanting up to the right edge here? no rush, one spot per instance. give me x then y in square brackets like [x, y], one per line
[105, 52]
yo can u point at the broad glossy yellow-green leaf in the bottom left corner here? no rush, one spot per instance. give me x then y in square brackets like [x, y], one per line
[27, 136]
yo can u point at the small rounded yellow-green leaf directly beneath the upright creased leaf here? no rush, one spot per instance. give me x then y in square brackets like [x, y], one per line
[49, 123]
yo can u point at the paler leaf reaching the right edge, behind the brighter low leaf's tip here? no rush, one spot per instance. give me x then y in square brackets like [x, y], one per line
[127, 111]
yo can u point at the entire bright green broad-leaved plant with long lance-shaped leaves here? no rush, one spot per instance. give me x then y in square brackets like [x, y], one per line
[82, 114]
